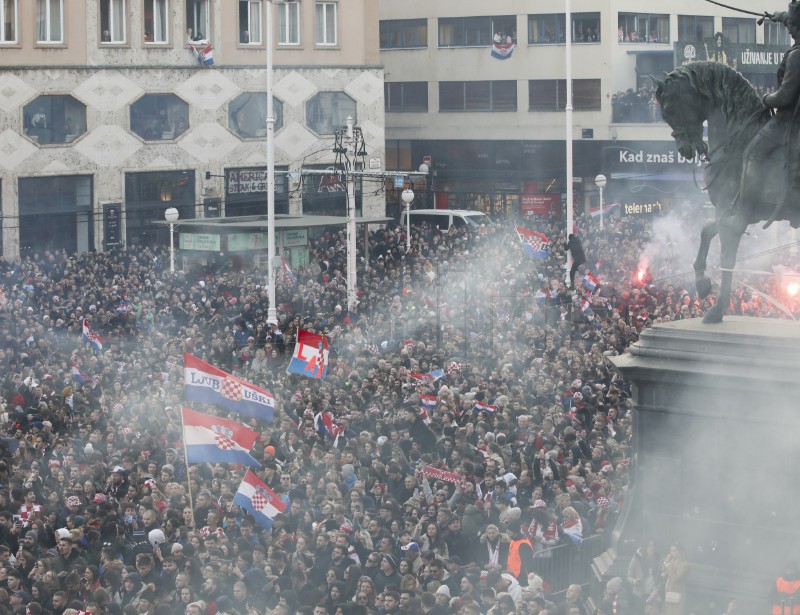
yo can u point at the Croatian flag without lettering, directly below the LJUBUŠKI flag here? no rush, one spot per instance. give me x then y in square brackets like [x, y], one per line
[209, 438]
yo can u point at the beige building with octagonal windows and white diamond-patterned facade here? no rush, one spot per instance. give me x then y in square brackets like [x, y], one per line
[108, 116]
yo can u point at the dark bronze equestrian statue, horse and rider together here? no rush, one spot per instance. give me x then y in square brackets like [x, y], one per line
[753, 151]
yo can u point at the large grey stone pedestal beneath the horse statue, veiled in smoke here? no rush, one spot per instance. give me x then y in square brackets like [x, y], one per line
[717, 447]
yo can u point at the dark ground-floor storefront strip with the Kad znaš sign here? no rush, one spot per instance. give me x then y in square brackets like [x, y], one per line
[522, 179]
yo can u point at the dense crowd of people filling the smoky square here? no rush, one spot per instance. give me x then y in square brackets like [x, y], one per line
[485, 438]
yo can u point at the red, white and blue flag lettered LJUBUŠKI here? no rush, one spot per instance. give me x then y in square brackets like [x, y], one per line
[205, 383]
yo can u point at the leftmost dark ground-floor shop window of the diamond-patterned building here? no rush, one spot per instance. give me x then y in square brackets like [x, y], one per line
[55, 213]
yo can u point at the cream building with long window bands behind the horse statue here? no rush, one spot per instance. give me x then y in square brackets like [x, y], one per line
[480, 88]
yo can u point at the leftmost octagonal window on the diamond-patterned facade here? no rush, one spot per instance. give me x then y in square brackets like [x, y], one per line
[54, 119]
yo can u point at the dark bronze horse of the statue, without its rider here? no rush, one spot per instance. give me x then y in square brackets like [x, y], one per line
[713, 92]
